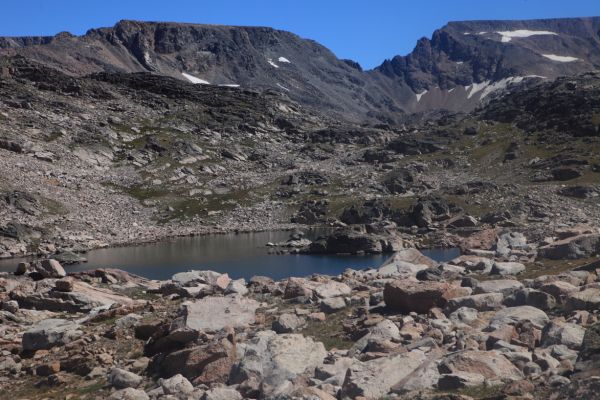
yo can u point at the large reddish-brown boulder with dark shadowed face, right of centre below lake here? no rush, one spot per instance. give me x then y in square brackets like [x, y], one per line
[420, 297]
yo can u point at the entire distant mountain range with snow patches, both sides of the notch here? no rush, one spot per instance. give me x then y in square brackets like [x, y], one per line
[460, 66]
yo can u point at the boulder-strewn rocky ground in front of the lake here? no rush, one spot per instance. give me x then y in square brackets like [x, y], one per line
[491, 323]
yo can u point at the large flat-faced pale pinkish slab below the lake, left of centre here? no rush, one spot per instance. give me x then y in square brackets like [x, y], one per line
[216, 313]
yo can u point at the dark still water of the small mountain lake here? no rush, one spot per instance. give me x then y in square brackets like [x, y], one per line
[240, 255]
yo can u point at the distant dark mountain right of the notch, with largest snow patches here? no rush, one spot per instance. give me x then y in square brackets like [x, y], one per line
[464, 62]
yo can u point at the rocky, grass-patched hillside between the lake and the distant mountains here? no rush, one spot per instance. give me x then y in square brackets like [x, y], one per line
[115, 158]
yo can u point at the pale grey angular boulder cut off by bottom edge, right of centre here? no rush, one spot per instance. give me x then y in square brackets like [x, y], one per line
[375, 378]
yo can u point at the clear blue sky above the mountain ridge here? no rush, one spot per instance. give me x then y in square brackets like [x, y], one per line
[367, 31]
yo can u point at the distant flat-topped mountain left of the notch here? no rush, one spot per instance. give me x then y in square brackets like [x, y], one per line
[253, 57]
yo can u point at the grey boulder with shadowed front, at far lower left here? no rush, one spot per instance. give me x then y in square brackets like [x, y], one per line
[49, 333]
